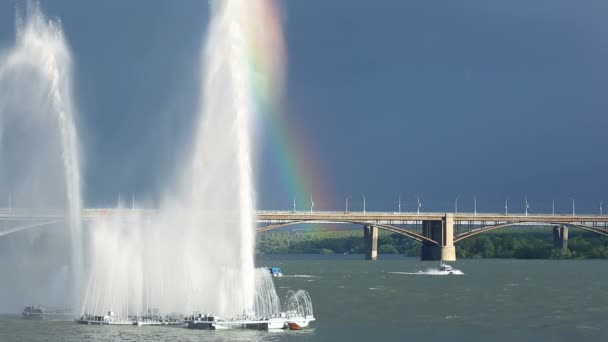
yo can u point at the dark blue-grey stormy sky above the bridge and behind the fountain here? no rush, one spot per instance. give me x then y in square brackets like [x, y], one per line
[387, 98]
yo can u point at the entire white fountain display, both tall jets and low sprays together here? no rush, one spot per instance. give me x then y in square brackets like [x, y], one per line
[196, 254]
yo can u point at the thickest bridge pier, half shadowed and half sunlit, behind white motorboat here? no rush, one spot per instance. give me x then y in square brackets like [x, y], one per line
[442, 232]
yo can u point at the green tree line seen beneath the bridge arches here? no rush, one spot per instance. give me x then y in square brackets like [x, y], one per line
[519, 243]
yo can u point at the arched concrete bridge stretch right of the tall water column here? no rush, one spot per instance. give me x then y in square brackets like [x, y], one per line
[438, 232]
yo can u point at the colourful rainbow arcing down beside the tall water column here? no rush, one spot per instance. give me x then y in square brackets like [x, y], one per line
[298, 172]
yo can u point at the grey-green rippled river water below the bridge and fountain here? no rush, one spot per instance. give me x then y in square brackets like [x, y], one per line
[389, 299]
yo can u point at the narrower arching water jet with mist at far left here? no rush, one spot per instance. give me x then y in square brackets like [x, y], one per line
[36, 114]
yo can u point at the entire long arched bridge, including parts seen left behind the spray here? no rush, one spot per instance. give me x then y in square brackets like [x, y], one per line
[438, 232]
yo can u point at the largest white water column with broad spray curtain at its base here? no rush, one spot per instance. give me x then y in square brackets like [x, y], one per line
[197, 253]
